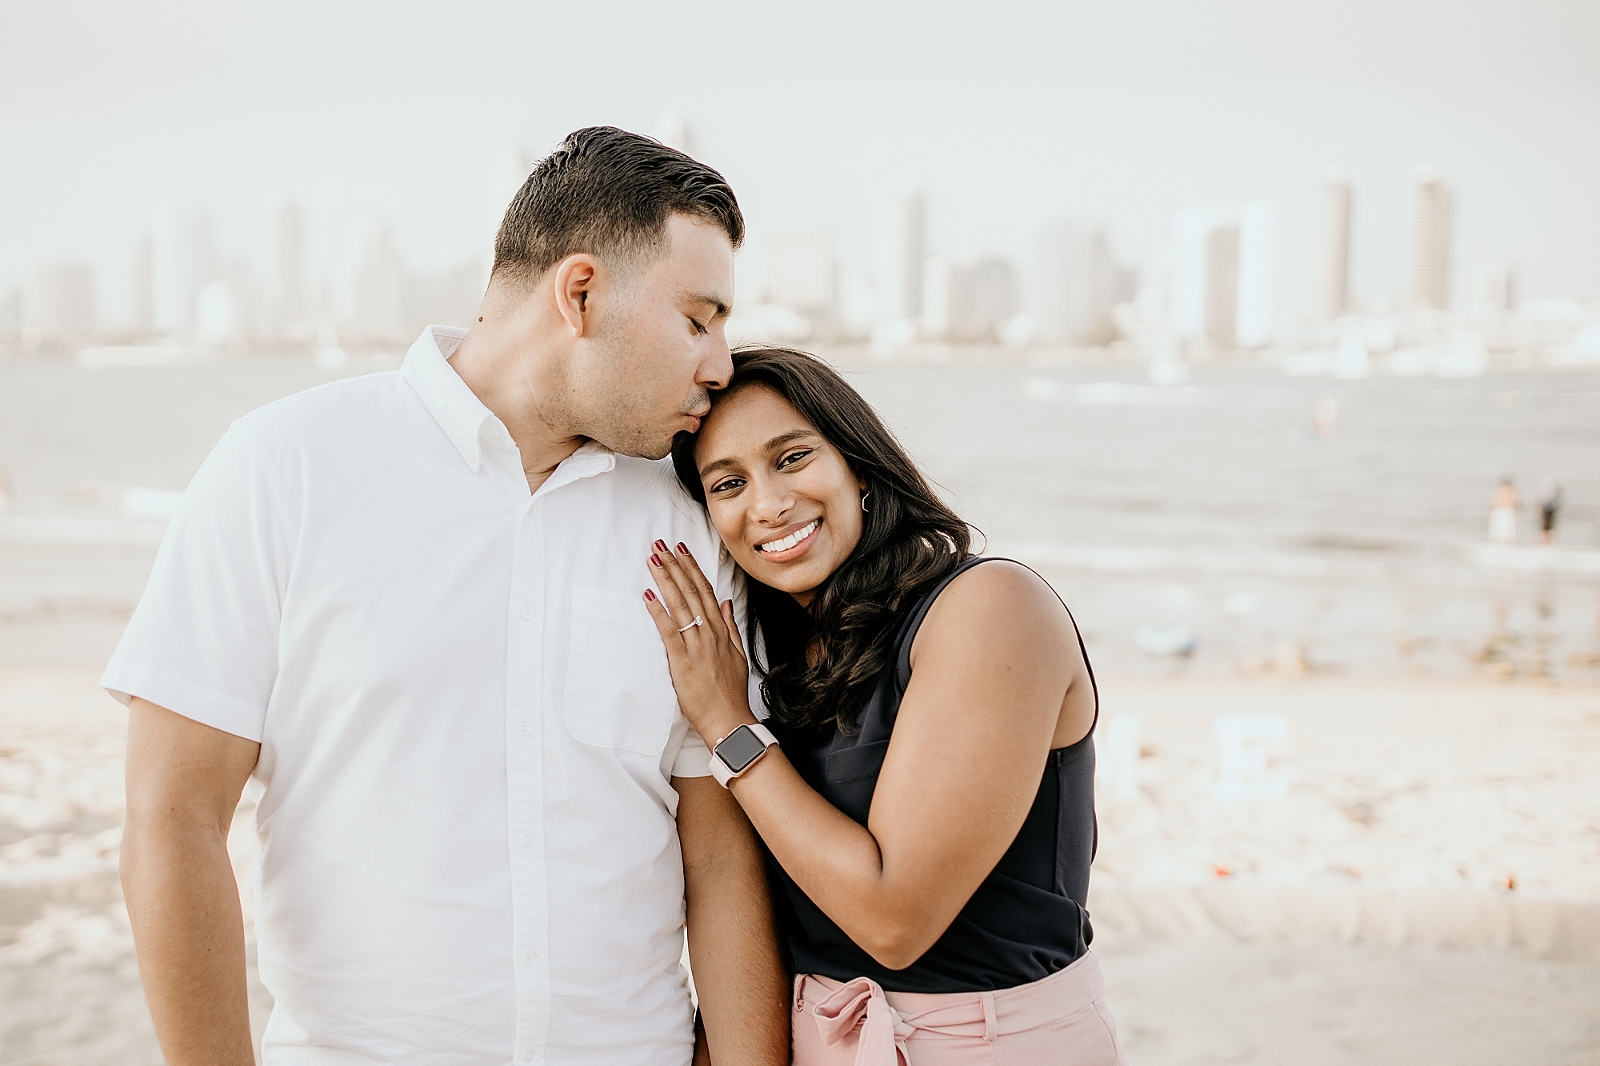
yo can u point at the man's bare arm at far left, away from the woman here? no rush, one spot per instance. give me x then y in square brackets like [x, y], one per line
[185, 780]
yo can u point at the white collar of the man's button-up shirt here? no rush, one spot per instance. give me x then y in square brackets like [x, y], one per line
[468, 422]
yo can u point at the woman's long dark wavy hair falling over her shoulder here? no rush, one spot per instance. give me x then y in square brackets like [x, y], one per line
[910, 540]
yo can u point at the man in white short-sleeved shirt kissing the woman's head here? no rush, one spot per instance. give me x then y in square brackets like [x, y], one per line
[407, 609]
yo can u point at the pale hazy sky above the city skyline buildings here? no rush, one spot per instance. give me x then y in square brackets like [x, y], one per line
[1497, 110]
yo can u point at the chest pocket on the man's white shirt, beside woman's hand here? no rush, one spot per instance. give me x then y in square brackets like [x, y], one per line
[618, 687]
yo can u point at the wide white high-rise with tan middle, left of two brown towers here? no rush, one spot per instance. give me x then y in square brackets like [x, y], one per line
[1225, 276]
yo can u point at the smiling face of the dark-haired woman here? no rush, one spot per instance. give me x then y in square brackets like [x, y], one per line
[786, 503]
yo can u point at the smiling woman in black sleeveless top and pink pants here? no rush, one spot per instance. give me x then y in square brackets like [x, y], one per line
[930, 803]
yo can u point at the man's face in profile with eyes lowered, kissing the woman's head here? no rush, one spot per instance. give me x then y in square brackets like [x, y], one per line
[660, 345]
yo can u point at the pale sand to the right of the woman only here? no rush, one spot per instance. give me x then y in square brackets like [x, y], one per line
[1426, 891]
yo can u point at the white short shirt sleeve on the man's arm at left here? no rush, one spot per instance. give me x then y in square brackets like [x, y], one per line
[204, 641]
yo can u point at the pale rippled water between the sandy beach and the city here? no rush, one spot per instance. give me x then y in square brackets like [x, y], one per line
[1210, 513]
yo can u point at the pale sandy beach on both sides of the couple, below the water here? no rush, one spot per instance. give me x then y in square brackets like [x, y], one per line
[1426, 889]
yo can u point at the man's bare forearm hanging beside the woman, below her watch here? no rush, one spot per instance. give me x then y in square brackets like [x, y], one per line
[734, 944]
